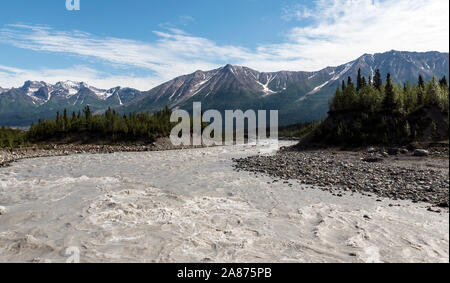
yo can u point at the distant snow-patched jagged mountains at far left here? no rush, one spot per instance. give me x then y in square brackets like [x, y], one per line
[34, 100]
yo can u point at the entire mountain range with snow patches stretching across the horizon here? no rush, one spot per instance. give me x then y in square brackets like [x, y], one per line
[299, 96]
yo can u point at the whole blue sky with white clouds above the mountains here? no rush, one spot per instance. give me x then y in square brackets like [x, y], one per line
[142, 43]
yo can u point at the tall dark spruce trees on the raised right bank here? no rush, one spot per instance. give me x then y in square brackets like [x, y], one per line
[371, 111]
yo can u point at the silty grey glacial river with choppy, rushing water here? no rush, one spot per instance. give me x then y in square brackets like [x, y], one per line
[191, 206]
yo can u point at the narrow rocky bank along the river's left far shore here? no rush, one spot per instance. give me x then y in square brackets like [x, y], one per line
[9, 156]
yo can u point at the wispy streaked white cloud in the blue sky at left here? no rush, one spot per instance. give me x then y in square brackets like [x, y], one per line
[174, 53]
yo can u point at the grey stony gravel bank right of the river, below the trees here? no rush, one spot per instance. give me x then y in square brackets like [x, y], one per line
[401, 176]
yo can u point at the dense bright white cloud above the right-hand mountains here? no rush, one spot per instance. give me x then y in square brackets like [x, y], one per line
[344, 30]
